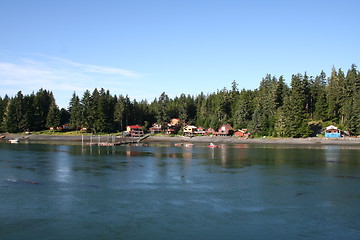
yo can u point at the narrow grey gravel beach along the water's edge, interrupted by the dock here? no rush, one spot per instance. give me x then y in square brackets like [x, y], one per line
[182, 139]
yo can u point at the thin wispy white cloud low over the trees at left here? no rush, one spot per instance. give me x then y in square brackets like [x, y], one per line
[61, 76]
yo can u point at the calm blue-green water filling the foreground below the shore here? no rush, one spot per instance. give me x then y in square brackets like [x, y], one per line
[58, 191]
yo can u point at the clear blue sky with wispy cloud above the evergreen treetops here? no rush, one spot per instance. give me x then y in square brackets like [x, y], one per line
[143, 48]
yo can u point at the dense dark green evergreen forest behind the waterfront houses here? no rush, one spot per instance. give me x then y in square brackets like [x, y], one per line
[273, 109]
